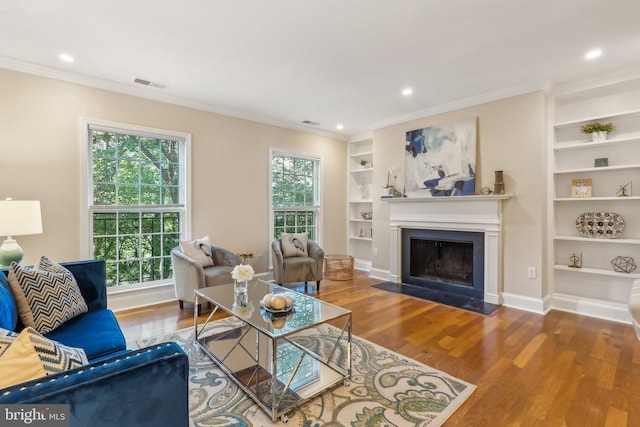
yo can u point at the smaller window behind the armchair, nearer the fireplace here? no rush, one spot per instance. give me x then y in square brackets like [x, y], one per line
[294, 194]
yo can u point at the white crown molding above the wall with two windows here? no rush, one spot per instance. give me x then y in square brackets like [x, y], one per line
[154, 94]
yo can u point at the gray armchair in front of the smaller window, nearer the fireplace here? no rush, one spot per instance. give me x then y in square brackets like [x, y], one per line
[297, 268]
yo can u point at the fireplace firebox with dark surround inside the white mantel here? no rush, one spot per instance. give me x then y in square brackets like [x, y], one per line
[449, 261]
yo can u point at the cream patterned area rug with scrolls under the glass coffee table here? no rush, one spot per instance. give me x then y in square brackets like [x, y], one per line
[386, 389]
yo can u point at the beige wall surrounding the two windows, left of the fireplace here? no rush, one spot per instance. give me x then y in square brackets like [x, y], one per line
[41, 159]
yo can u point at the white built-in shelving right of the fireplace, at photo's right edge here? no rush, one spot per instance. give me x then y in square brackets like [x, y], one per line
[573, 157]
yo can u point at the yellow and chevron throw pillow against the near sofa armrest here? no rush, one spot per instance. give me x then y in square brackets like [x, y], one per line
[32, 356]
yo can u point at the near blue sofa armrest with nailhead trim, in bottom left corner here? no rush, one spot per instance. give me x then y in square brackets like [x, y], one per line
[145, 387]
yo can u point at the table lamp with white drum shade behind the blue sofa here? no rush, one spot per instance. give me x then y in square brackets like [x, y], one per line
[17, 218]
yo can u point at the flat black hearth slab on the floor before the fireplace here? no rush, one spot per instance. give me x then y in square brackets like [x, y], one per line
[452, 300]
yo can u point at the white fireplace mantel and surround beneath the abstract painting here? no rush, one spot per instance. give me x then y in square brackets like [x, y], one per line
[464, 213]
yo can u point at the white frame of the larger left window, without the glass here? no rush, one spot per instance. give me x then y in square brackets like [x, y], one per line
[87, 207]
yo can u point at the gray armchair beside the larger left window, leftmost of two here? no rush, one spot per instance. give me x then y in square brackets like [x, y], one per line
[189, 275]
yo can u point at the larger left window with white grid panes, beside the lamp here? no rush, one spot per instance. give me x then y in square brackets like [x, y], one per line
[137, 202]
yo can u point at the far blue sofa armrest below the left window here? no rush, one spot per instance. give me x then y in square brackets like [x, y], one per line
[91, 276]
